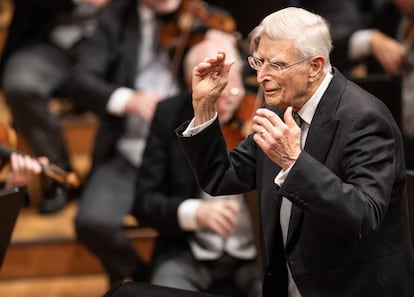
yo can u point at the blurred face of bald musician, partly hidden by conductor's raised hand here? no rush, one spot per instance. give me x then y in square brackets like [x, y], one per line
[231, 96]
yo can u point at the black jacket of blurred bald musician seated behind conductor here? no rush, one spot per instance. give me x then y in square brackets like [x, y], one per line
[166, 179]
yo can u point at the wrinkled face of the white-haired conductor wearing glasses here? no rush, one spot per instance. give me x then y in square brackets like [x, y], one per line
[286, 87]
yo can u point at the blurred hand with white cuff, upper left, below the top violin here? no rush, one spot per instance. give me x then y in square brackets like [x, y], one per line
[143, 104]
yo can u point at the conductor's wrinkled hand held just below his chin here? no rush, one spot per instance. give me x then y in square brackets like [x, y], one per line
[279, 140]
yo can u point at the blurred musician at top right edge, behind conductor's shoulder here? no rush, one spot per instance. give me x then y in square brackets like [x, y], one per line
[386, 46]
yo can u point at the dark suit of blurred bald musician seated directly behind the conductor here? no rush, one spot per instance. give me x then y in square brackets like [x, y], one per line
[166, 181]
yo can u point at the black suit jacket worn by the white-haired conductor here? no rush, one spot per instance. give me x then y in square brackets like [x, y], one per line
[348, 234]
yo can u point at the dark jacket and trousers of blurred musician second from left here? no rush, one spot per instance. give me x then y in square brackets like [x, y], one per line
[103, 64]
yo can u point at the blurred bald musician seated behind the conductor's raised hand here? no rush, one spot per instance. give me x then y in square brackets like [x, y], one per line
[202, 242]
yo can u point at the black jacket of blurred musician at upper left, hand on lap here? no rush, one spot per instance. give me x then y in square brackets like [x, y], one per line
[105, 62]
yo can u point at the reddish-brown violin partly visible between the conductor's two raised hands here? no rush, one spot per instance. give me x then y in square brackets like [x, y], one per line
[239, 127]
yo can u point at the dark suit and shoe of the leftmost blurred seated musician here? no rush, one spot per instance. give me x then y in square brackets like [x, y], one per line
[33, 68]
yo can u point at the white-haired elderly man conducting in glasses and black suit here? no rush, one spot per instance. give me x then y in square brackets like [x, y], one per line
[327, 161]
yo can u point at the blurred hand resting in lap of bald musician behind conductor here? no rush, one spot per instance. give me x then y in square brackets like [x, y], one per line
[218, 215]
